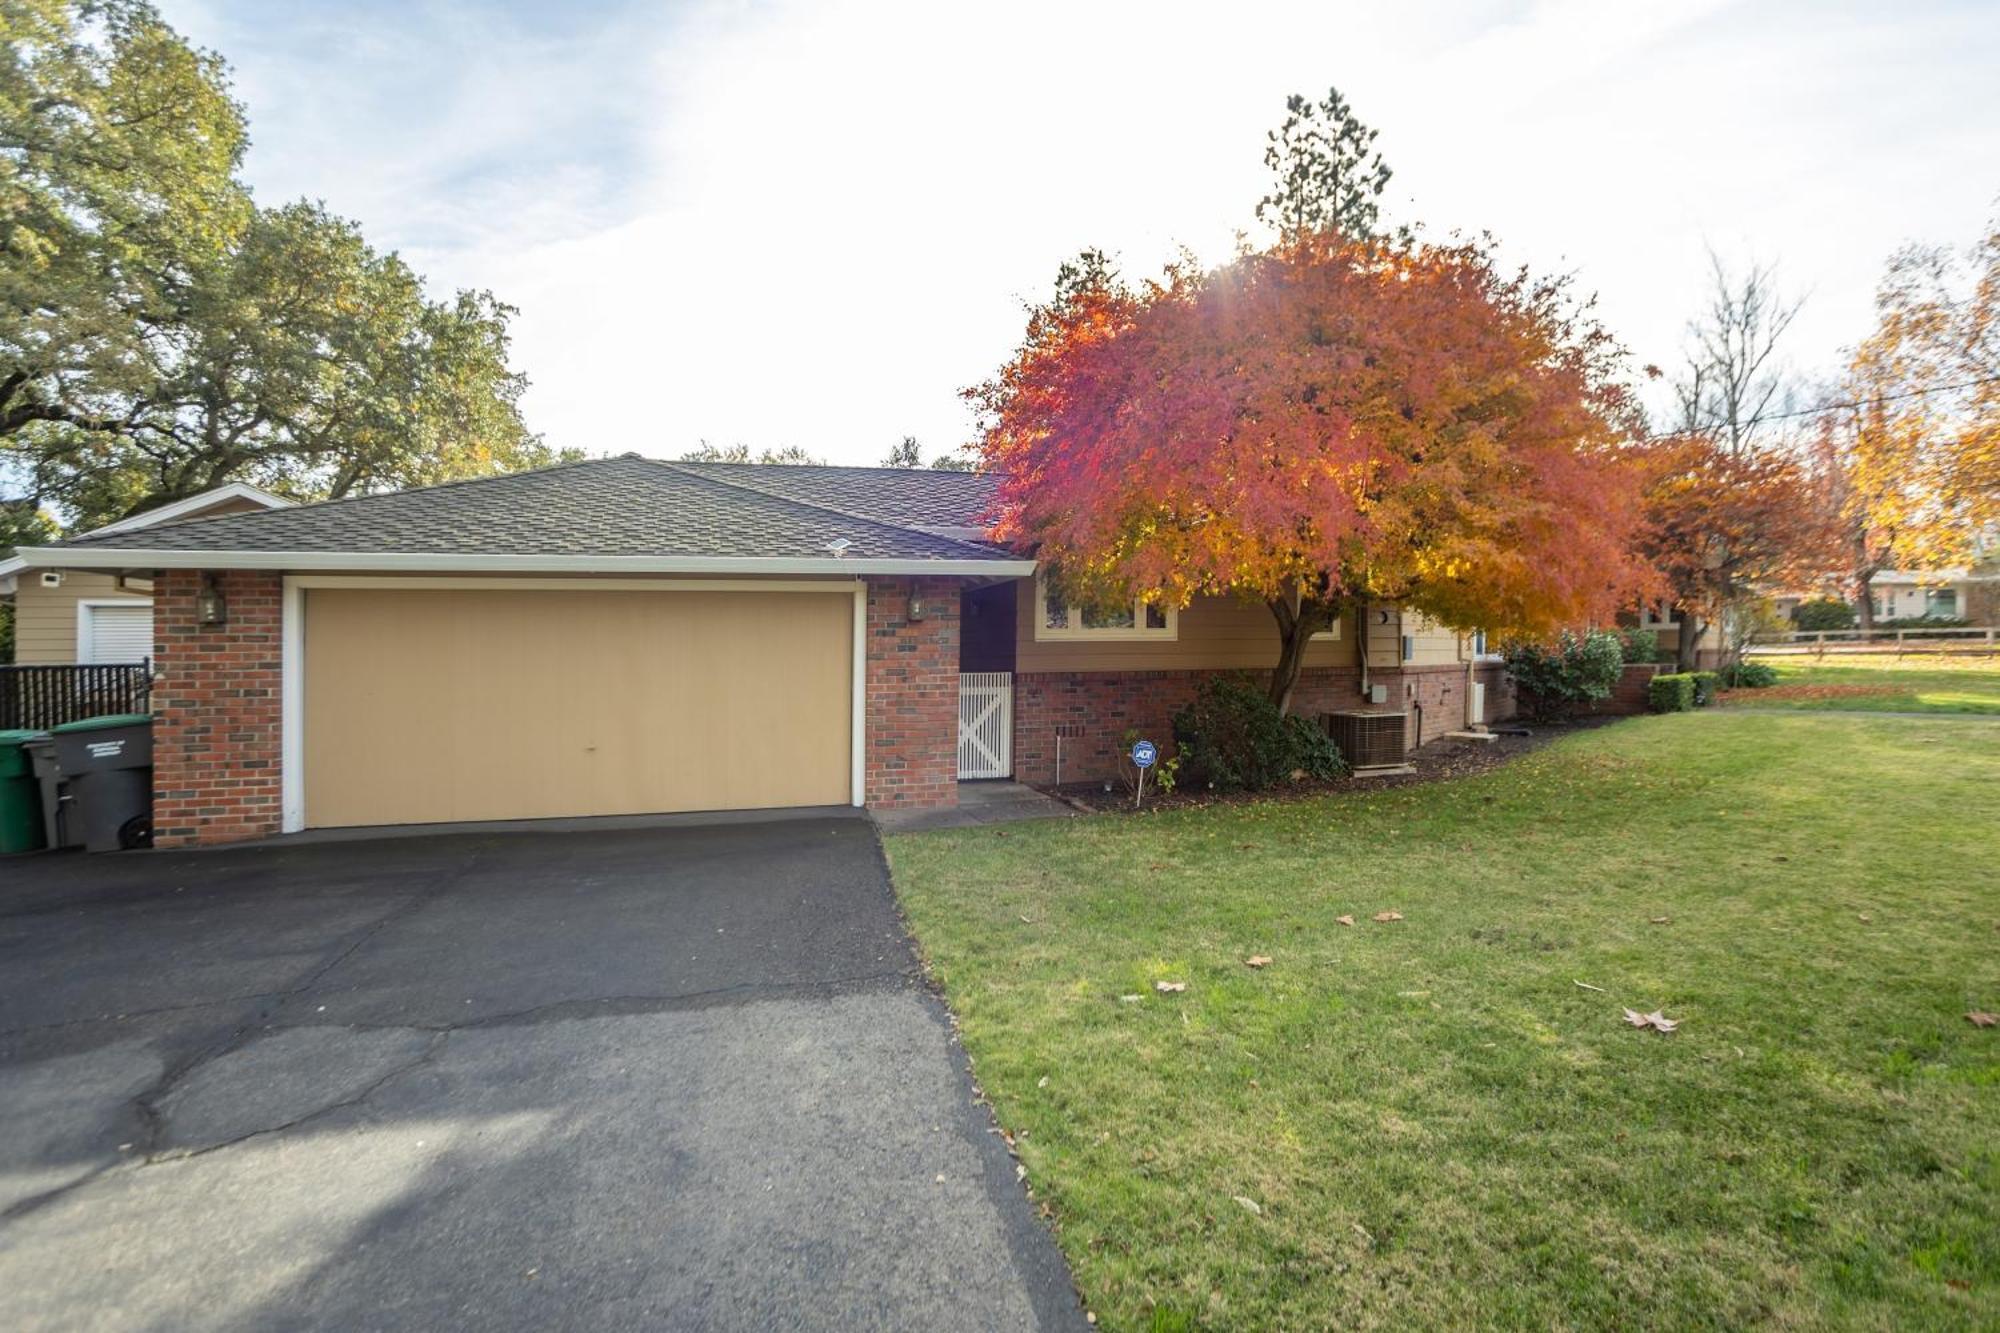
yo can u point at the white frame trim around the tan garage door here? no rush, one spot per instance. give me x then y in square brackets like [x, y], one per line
[293, 688]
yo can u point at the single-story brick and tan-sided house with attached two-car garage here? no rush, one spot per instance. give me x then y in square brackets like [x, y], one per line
[629, 635]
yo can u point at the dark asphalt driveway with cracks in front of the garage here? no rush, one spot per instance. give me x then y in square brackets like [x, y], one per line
[671, 1078]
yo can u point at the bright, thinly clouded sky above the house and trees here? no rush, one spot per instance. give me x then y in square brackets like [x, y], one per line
[815, 221]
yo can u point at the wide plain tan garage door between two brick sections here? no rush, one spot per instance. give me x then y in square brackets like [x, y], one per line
[451, 706]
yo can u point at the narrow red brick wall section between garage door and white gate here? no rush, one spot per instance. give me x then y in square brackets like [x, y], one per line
[913, 694]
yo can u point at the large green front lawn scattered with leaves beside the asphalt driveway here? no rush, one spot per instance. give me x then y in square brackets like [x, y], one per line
[1429, 1124]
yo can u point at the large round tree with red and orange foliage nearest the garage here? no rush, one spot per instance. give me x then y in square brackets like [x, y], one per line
[1317, 427]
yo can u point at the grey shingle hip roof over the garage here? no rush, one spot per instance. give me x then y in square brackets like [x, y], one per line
[619, 507]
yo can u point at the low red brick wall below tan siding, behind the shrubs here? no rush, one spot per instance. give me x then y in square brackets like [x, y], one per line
[1095, 710]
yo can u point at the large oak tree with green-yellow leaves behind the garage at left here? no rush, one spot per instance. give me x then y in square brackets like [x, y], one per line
[161, 333]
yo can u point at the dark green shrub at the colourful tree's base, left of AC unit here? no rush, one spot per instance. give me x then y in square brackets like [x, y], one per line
[1235, 740]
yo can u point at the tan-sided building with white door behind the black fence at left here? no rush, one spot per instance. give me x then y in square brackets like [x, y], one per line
[95, 617]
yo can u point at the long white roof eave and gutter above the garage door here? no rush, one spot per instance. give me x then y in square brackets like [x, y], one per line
[459, 563]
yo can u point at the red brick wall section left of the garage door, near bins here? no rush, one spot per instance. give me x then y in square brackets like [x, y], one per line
[219, 704]
